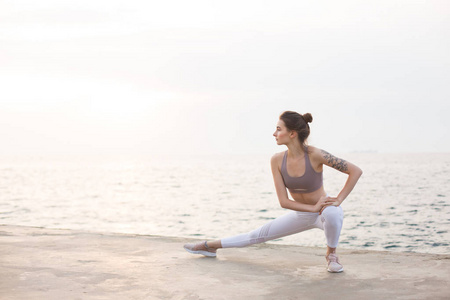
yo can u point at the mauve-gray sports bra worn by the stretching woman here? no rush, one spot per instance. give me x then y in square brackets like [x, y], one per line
[307, 183]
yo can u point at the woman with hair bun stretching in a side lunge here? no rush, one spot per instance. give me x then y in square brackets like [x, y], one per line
[299, 169]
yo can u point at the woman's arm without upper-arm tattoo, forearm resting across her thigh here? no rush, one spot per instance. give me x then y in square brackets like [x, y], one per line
[282, 195]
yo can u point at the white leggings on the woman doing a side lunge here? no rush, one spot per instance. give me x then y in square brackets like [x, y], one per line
[330, 221]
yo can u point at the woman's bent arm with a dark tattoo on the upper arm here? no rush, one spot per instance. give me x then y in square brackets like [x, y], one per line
[345, 167]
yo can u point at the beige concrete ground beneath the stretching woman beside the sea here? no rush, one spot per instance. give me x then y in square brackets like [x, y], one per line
[38, 263]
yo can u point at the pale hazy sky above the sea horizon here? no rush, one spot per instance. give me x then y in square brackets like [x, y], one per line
[97, 76]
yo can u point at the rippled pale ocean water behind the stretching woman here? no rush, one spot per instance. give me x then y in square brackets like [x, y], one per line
[401, 202]
